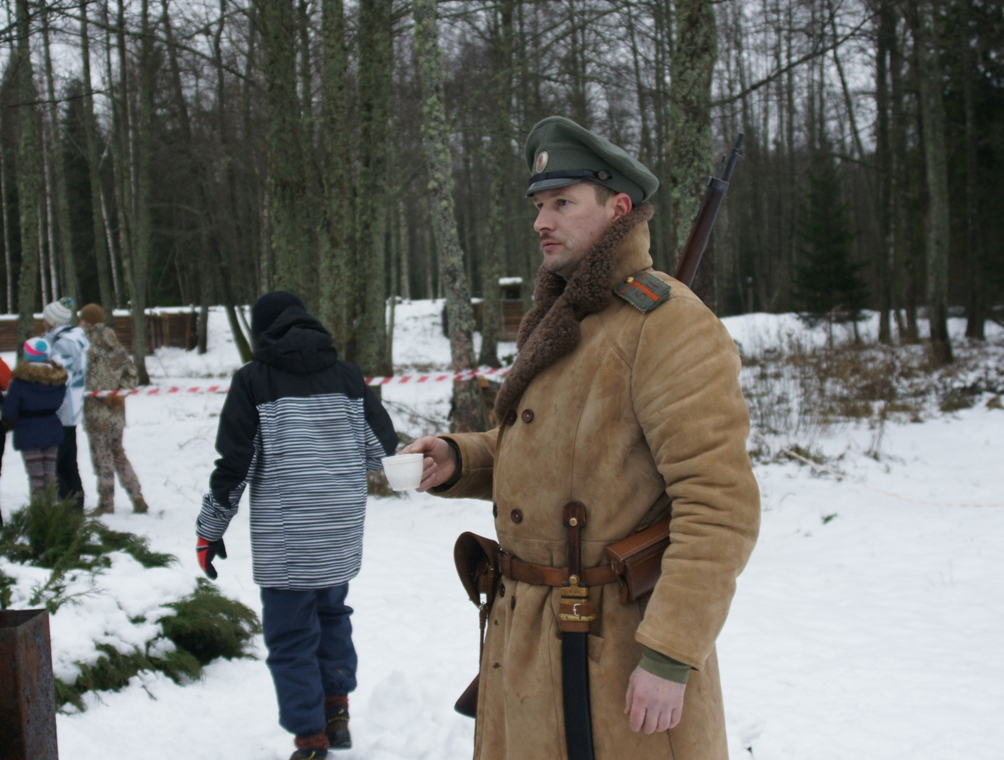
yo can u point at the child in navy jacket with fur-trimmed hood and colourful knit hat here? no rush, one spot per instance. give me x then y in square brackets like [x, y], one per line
[36, 394]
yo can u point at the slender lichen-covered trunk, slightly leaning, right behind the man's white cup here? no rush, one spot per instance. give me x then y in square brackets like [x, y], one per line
[467, 412]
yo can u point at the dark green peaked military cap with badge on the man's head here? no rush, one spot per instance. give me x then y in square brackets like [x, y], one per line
[561, 153]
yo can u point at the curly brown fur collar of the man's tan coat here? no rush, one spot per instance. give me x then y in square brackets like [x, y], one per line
[551, 329]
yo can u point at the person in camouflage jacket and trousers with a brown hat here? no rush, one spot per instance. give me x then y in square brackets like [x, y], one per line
[110, 368]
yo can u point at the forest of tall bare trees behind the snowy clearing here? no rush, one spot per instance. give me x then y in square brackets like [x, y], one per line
[202, 152]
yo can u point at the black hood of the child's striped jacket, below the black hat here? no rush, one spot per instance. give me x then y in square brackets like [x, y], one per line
[297, 343]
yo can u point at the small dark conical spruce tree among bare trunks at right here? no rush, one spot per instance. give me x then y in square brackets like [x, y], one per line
[828, 283]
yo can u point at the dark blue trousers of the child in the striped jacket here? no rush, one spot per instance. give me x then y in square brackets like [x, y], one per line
[311, 654]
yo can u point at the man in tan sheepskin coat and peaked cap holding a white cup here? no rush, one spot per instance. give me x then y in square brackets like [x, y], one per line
[625, 397]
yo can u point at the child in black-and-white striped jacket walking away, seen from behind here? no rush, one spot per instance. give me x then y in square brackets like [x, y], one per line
[303, 428]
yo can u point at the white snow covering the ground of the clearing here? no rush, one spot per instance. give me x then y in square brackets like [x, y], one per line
[867, 625]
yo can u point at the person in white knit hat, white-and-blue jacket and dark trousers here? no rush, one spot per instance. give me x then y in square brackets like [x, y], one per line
[70, 351]
